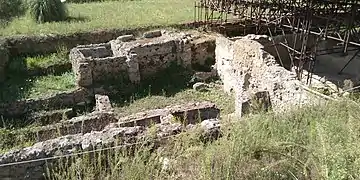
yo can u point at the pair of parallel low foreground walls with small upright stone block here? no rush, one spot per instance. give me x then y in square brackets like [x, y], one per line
[102, 129]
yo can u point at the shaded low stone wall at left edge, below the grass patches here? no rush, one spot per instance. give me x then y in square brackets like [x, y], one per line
[57, 101]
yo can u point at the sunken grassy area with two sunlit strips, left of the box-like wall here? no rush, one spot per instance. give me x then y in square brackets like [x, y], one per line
[36, 76]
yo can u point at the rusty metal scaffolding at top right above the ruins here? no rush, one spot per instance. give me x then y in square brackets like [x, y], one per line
[323, 19]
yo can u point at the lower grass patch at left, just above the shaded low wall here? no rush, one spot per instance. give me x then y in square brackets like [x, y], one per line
[22, 87]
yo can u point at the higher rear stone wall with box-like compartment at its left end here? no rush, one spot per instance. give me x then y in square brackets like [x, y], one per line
[134, 59]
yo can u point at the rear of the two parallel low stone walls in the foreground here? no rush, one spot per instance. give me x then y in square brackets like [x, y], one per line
[97, 120]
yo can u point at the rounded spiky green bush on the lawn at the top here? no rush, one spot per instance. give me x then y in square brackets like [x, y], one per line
[47, 10]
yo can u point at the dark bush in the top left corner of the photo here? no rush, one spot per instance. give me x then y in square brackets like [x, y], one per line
[10, 9]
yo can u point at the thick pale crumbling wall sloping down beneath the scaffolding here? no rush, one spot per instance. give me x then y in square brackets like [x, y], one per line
[250, 72]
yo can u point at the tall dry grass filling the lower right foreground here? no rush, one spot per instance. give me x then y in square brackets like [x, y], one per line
[313, 143]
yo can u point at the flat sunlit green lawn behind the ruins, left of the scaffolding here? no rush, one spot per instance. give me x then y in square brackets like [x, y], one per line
[122, 15]
